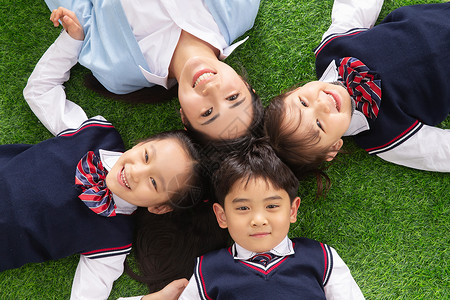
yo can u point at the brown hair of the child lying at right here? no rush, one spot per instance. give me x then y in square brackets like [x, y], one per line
[301, 155]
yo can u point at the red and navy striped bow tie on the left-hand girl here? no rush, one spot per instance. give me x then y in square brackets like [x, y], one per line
[90, 176]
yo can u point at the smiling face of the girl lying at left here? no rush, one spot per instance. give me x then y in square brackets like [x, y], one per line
[149, 173]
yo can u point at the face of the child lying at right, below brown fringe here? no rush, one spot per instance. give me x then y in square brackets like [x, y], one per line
[324, 107]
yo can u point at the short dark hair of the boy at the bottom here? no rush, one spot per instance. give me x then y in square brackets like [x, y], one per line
[257, 161]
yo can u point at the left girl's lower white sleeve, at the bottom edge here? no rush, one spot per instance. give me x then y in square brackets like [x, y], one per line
[94, 277]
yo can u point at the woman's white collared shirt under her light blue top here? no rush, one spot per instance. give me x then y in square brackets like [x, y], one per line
[158, 36]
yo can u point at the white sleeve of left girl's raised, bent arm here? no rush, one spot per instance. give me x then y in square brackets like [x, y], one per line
[44, 92]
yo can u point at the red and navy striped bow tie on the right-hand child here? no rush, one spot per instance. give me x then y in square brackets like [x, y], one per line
[363, 85]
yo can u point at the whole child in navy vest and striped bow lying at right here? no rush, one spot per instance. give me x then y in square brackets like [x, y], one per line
[395, 74]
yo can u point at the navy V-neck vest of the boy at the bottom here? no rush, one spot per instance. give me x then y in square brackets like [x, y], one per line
[298, 276]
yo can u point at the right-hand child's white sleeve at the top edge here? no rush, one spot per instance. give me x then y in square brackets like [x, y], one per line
[349, 14]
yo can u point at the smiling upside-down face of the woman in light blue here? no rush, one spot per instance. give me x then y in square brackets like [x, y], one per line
[214, 99]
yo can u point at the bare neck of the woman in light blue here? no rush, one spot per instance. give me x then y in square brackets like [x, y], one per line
[189, 46]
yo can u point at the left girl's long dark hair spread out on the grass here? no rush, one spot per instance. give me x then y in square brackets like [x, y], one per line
[165, 246]
